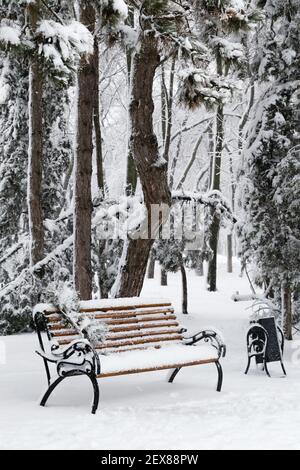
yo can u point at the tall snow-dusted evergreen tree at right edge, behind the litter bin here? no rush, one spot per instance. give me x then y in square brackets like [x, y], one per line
[270, 230]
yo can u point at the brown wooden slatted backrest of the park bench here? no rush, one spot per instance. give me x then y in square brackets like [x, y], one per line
[128, 327]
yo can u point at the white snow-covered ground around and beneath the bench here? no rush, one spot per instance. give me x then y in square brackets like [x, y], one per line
[143, 411]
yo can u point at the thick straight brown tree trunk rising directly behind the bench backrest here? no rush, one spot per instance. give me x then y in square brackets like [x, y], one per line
[87, 78]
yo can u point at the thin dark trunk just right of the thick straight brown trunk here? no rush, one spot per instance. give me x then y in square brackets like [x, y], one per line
[97, 121]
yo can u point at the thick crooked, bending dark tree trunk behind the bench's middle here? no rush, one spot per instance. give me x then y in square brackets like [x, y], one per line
[152, 174]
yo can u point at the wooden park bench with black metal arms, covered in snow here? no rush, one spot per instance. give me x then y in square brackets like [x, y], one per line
[136, 335]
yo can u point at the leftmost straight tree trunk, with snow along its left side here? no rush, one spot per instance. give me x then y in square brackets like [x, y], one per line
[35, 154]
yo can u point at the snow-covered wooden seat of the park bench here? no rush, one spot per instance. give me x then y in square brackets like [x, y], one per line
[168, 357]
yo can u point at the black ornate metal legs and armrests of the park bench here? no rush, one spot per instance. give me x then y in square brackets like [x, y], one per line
[80, 358]
